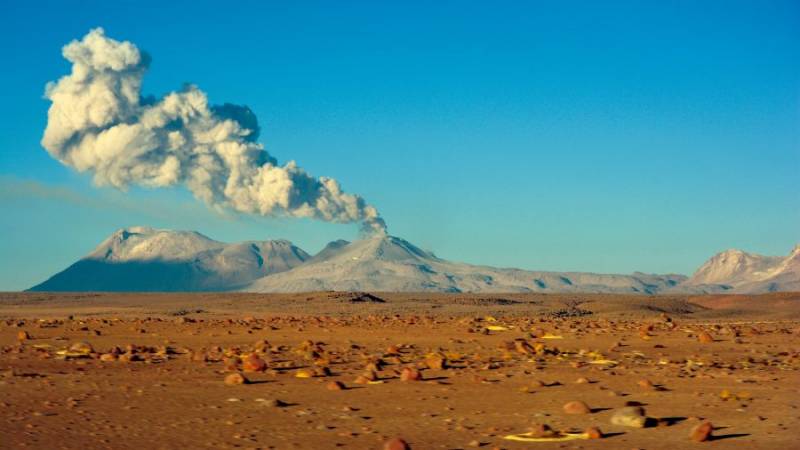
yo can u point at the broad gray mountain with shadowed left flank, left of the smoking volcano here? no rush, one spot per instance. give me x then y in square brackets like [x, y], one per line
[146, 259]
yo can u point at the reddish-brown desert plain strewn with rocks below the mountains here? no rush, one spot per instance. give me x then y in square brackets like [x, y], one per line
[394, 371]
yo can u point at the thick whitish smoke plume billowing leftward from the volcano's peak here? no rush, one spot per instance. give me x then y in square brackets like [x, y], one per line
[99, 122]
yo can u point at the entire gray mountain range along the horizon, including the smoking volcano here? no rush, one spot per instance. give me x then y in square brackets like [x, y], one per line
[148, 259]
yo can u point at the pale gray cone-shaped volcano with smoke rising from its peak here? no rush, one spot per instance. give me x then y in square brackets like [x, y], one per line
[387, 263]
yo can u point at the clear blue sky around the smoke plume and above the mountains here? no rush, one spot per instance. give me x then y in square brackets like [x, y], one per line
[592, 136]
